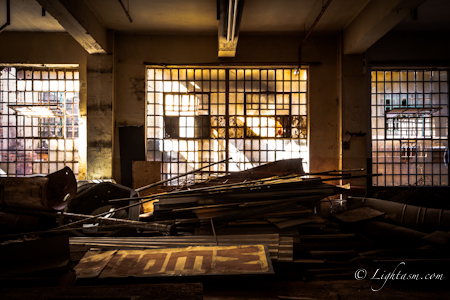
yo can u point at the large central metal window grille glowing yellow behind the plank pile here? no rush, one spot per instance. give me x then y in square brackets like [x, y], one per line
[198, 116]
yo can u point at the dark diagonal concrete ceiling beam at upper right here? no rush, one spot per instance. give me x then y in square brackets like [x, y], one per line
[376, 19]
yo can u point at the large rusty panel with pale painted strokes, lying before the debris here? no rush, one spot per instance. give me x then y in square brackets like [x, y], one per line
[190, 261]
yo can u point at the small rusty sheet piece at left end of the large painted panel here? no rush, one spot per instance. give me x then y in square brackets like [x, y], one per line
[93, 263]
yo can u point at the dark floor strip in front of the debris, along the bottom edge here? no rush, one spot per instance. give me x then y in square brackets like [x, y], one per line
[238, 288]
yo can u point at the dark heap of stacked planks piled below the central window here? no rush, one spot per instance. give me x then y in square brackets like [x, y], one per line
[285, 202]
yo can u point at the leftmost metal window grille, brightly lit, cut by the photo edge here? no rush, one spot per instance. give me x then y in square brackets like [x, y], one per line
[39, 120]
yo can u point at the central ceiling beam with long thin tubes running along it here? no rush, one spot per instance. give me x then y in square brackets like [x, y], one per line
[230, 15]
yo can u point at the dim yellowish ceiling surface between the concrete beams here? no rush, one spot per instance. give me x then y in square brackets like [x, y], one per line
[194, 16]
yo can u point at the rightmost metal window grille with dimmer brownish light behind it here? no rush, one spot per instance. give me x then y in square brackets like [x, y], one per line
[410, 127]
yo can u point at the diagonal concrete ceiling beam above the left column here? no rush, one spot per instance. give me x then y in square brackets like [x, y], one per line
[80, 22]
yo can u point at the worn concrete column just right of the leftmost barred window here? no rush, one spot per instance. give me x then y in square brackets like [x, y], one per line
[100, 116]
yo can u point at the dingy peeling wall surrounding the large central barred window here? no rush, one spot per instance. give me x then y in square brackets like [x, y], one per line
[132, 51]
